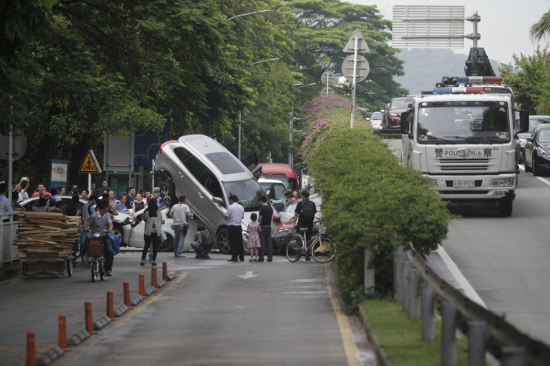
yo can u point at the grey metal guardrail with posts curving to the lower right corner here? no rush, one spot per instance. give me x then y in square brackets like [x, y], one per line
[419, 288]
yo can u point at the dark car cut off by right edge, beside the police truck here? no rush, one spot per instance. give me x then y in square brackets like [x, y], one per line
[537, 150]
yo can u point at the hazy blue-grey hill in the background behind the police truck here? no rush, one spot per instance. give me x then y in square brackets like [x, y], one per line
[425, 67]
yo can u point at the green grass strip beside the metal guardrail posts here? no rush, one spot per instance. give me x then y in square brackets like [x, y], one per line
[401, 338]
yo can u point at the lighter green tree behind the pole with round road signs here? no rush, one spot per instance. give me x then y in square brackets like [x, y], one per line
[325, 26]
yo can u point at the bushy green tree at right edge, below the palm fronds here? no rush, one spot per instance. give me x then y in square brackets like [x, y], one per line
[529, 77]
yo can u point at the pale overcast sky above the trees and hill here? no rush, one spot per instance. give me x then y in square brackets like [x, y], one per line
[504, 25]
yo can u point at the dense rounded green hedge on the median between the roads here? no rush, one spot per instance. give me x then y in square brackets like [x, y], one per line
[371, 201]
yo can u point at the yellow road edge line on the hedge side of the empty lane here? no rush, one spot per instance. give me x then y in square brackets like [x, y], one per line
[348, 341]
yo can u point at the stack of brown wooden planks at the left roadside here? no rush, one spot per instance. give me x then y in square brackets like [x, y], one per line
[46, 235]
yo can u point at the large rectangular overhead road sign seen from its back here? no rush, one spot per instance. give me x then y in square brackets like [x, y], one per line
[428, 26]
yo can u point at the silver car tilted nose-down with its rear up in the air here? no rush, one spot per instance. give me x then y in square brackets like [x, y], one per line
[207, 174]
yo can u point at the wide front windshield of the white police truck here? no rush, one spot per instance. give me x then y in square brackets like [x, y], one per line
[463, 122]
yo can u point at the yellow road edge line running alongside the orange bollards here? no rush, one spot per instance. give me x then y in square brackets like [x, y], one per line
[94, 339]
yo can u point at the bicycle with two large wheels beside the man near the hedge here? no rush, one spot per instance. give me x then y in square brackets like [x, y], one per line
[322, 247]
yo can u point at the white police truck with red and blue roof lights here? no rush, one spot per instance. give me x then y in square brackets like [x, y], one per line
[463, 139]
